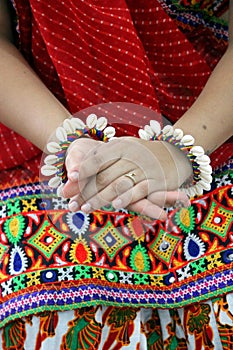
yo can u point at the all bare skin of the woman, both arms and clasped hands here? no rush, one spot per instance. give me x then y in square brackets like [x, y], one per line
[101, 179]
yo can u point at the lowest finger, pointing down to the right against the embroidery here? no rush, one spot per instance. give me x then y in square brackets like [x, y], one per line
[145, 207]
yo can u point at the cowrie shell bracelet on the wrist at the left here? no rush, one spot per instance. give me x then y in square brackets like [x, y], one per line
[71, 130]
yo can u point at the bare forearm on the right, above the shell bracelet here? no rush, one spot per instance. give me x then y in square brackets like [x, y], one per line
[210, 118]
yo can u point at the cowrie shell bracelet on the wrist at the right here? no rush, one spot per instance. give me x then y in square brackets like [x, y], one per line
[202, 169]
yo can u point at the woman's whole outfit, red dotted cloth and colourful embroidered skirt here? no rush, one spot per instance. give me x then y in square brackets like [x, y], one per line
[106, 280]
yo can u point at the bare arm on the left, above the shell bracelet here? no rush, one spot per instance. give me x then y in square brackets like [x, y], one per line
[26, 105]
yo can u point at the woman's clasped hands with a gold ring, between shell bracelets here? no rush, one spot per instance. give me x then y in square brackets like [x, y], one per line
[127, 172]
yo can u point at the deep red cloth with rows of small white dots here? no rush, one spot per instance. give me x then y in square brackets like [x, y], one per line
[92, 52]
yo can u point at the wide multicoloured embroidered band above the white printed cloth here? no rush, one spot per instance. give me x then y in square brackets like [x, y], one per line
[51, 258]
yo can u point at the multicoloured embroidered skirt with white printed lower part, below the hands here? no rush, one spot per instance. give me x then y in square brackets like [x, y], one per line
[115, 280]
